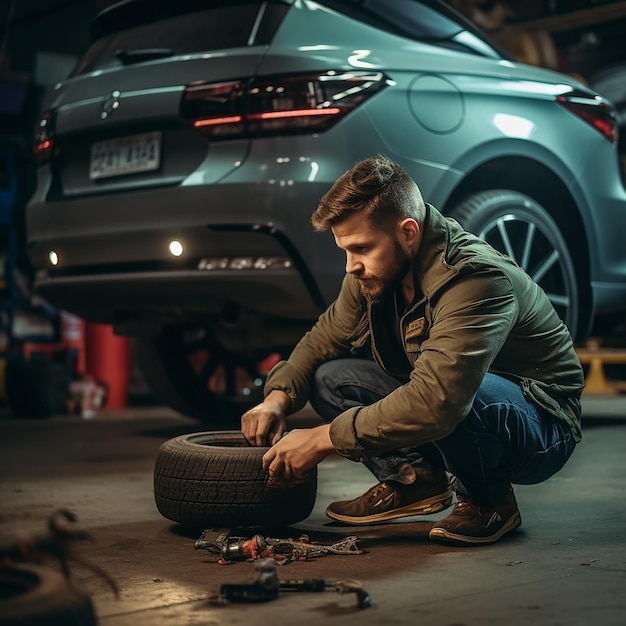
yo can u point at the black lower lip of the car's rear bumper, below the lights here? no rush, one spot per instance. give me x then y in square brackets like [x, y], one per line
[144, 298]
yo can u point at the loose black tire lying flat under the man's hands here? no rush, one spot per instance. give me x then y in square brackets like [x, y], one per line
[214, 479]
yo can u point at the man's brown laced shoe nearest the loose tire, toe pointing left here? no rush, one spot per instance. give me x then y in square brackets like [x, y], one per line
[389, 500]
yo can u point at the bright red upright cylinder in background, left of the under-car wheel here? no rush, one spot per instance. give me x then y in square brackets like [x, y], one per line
[108, 361]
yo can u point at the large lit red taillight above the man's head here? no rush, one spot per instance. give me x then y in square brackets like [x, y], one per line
[277, 105]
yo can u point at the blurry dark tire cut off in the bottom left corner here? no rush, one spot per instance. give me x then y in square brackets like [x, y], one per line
[32, 595]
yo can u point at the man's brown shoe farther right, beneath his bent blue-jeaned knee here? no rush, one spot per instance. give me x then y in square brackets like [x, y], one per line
[473, 523]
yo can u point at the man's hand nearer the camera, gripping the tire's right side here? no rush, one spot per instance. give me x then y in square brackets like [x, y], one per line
[297, 452]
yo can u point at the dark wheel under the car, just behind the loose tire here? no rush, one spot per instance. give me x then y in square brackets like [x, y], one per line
[189, 370]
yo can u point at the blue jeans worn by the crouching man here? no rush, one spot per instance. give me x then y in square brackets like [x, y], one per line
[504, 439]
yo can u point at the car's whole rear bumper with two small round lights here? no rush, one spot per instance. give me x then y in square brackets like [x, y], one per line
[114, 259]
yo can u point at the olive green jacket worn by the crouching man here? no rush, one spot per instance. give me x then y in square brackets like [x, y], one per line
[478, 313]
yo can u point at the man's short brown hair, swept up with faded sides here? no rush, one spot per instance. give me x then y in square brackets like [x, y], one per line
[379, 188]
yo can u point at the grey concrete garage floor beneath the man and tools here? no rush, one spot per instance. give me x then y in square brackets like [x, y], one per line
[565, 566]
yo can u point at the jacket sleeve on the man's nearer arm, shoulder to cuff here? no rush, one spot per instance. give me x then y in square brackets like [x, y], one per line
[471, 319]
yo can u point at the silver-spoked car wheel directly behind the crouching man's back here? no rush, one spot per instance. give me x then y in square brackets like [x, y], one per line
[521, 228]
